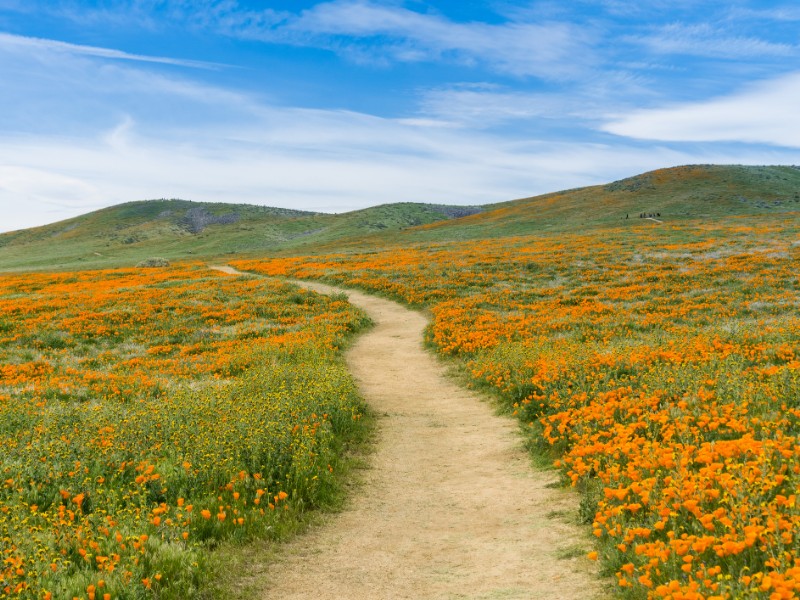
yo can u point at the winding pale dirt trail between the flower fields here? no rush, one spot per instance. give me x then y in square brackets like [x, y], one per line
[450, 508]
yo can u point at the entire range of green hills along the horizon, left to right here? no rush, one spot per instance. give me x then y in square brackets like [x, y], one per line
[179, 229]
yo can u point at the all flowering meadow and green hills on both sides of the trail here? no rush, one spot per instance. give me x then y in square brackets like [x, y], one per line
[151, 415]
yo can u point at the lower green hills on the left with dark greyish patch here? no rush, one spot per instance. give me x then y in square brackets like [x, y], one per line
[180, 229]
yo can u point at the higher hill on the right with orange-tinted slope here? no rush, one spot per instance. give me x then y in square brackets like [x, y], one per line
[670, 195]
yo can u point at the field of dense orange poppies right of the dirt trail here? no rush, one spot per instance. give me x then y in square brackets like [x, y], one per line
[660, 363]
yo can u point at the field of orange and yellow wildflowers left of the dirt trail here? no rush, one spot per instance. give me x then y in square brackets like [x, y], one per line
[146, 414]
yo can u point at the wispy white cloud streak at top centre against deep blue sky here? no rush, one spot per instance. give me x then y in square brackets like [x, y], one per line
[374, 32]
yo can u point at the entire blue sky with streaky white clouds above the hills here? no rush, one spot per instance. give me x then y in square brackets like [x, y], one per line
[342, 104]
